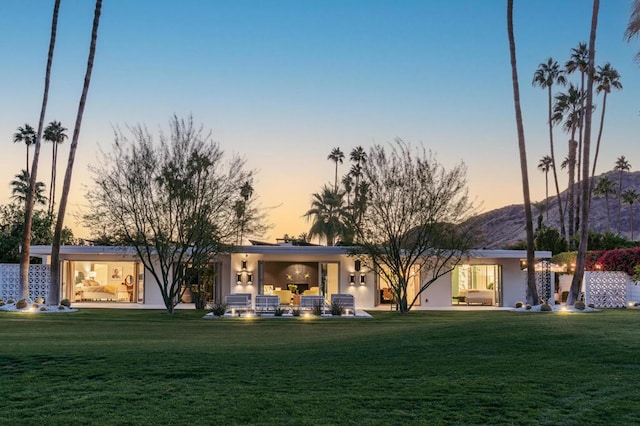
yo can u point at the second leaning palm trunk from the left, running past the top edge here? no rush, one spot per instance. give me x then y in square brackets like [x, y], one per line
[54, 291]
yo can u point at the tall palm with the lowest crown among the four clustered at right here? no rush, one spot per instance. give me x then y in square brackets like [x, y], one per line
[568, 106]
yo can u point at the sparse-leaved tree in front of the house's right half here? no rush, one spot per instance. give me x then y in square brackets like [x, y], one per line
[416, 223]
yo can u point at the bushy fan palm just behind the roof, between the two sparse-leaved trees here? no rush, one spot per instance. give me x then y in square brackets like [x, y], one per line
[327, 212]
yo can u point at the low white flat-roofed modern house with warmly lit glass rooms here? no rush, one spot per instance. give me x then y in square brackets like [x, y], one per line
[116, 275]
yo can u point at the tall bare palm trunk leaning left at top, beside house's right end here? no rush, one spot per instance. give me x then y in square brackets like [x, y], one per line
[532, 293]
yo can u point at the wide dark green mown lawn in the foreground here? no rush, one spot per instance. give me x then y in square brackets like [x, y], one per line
[143, 367]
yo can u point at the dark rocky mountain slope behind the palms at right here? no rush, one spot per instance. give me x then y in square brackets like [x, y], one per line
[505, 226]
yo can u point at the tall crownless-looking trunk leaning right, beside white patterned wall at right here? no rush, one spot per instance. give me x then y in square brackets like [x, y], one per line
[581, 258]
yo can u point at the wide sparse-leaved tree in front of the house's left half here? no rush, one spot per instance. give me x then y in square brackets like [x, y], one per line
[176, 205]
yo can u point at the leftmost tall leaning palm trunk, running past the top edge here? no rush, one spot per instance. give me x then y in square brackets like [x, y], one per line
[28, 211]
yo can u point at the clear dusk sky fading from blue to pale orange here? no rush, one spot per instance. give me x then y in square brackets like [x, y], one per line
[282, 82]
